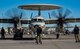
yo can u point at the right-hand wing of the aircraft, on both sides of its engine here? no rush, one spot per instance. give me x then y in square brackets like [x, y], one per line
[68, 20]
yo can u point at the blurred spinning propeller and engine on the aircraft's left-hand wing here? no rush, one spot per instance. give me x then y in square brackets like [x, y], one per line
[15, 14]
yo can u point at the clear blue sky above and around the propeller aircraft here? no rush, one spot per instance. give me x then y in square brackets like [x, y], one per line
[72, 5]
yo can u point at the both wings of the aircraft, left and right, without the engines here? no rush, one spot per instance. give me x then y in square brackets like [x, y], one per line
[47, 21]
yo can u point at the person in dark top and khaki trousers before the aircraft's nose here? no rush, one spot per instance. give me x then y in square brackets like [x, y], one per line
[39, 32]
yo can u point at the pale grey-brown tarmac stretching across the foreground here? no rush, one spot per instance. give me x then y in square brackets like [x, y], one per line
[64, 42]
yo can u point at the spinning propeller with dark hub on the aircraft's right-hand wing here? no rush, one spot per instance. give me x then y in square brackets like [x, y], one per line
[61, 15]
